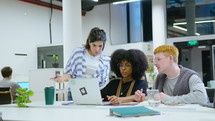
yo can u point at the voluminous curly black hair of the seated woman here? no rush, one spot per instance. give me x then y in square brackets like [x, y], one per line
[137, 59]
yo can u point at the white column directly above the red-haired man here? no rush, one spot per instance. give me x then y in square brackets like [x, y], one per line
[158, 22]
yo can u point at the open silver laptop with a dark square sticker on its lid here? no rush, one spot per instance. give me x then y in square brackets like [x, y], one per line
[85, 91]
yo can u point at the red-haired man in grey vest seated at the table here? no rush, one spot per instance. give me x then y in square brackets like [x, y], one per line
[177, 84]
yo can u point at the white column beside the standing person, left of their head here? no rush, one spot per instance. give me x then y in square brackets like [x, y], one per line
[72, 27]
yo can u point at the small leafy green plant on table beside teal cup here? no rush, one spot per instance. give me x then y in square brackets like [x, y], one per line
[23, 97]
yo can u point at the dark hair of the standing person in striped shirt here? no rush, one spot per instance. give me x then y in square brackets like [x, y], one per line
[96, 34]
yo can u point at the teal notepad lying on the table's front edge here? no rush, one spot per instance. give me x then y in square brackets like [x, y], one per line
[133, 111]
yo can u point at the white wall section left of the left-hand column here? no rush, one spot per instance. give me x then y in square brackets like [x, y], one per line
[23, 27]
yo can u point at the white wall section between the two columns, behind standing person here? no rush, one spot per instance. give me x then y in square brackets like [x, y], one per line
[99, 17]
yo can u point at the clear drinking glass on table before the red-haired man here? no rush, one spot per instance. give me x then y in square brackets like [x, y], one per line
[153, 97]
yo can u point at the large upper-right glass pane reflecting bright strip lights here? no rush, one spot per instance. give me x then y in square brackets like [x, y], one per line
[190, 17]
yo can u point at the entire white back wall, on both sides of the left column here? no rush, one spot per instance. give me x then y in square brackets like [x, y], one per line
[25, 26]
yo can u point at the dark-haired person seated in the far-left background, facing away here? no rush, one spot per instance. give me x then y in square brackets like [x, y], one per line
[6, 82]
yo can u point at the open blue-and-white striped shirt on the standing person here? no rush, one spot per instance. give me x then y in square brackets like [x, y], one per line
[76, 66]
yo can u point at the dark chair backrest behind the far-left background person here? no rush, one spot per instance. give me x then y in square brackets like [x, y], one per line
[5, 95]
